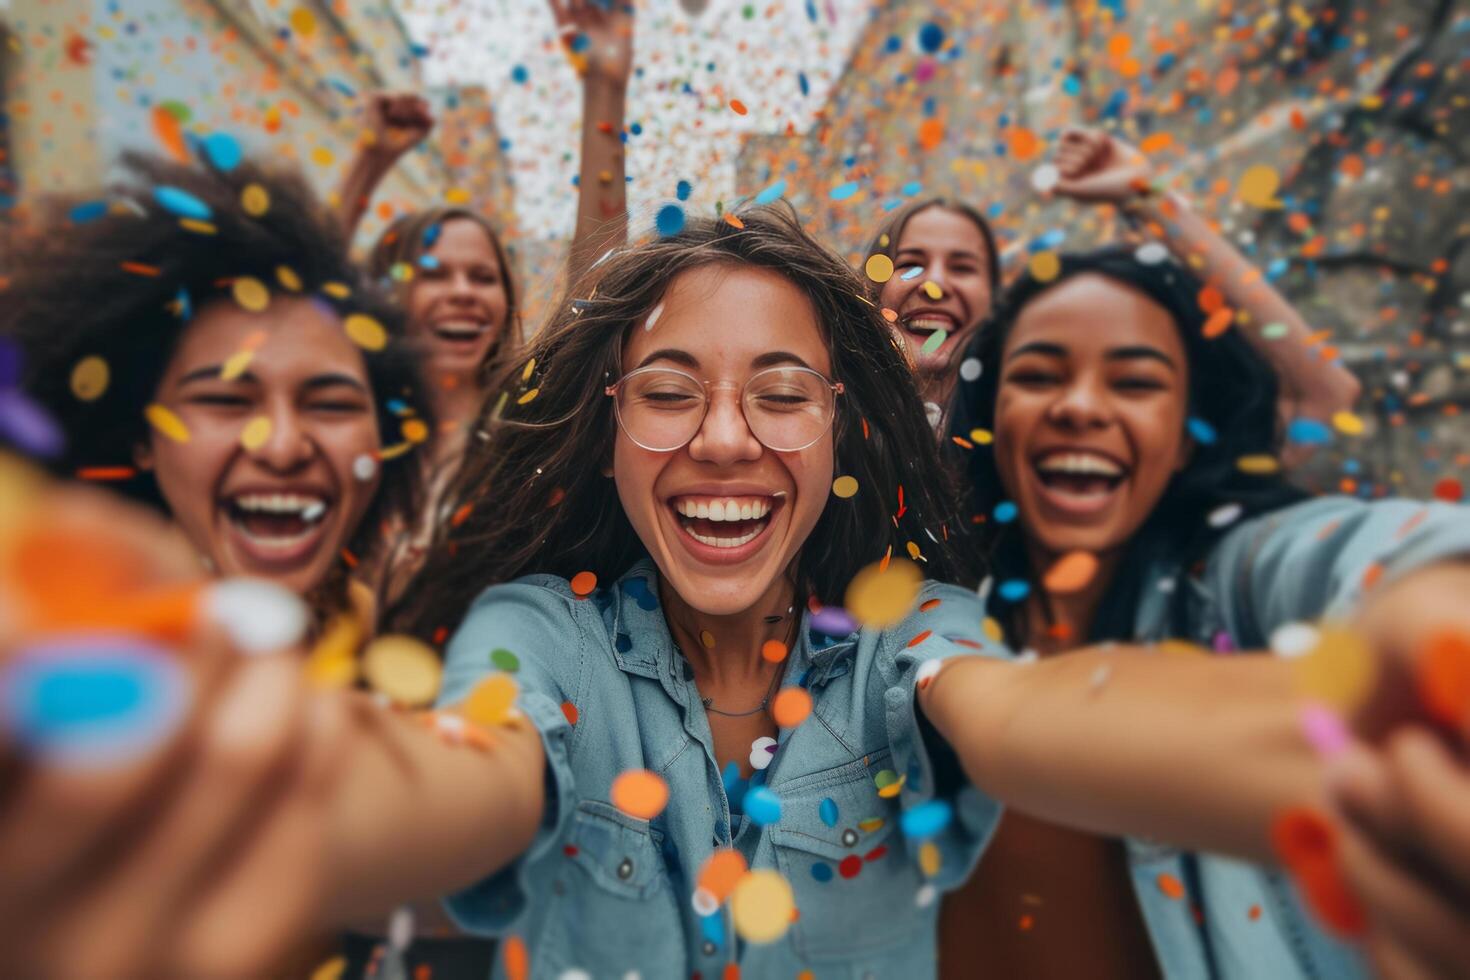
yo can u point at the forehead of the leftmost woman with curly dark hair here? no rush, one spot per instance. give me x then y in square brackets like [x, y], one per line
[299, 339]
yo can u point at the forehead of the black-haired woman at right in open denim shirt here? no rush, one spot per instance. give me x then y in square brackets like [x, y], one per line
[1093, 314]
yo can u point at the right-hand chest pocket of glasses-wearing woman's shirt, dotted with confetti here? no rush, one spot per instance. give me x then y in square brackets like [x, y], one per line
[840, 849]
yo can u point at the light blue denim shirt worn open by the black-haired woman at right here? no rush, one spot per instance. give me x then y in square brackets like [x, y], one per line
[1303, 563]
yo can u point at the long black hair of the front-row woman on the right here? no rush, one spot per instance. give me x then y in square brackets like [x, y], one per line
[1233, 390]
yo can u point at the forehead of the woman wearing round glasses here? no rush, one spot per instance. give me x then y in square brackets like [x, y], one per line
[728, 315]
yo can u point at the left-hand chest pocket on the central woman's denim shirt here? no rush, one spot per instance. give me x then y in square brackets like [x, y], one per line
[612, 907]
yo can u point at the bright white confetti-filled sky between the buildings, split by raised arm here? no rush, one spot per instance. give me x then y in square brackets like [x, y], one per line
[734, 49]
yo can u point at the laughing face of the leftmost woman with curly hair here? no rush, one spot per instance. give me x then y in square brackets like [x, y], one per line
[265, 483]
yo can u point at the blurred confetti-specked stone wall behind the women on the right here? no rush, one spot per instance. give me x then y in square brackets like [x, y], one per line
[1359, 108]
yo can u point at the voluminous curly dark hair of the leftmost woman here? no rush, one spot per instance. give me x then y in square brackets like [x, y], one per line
[105, 274]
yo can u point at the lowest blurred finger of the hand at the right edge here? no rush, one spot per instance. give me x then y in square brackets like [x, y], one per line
[1399, 904]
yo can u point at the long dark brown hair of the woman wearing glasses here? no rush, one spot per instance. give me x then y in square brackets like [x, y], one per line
[537, 500]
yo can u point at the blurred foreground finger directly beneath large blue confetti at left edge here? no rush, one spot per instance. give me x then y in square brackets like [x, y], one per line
[60, 819]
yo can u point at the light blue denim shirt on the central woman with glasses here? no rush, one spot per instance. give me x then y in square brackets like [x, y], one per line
[608, 894]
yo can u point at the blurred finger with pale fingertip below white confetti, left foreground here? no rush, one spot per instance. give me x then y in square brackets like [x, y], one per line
[220, 797]
